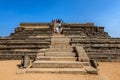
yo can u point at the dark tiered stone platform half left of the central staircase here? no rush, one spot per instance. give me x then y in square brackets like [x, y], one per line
[27, 39]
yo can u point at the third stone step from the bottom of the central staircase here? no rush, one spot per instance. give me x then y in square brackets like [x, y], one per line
[56, 58]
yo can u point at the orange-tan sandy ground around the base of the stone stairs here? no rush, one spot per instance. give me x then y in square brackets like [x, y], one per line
[107, 71]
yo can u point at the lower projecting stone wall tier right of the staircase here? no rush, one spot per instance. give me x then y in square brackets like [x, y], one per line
[100, 49]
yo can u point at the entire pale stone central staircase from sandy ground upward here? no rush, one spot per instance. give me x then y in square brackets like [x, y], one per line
[61, 57]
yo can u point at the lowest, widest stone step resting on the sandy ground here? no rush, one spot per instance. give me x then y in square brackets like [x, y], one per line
[57, 70]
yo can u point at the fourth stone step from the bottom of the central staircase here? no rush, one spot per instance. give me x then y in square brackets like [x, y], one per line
[60, 54]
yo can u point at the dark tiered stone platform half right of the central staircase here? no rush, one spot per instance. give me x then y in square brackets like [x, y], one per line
[96, 42]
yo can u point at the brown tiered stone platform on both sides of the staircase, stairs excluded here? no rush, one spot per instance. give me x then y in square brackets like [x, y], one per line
[30, 38]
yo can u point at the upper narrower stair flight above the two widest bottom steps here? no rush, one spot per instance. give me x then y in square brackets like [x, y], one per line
[59, 50]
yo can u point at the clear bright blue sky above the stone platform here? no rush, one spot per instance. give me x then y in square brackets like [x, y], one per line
[102, 12]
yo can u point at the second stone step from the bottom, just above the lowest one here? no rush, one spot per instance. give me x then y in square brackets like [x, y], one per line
[59, 64]
